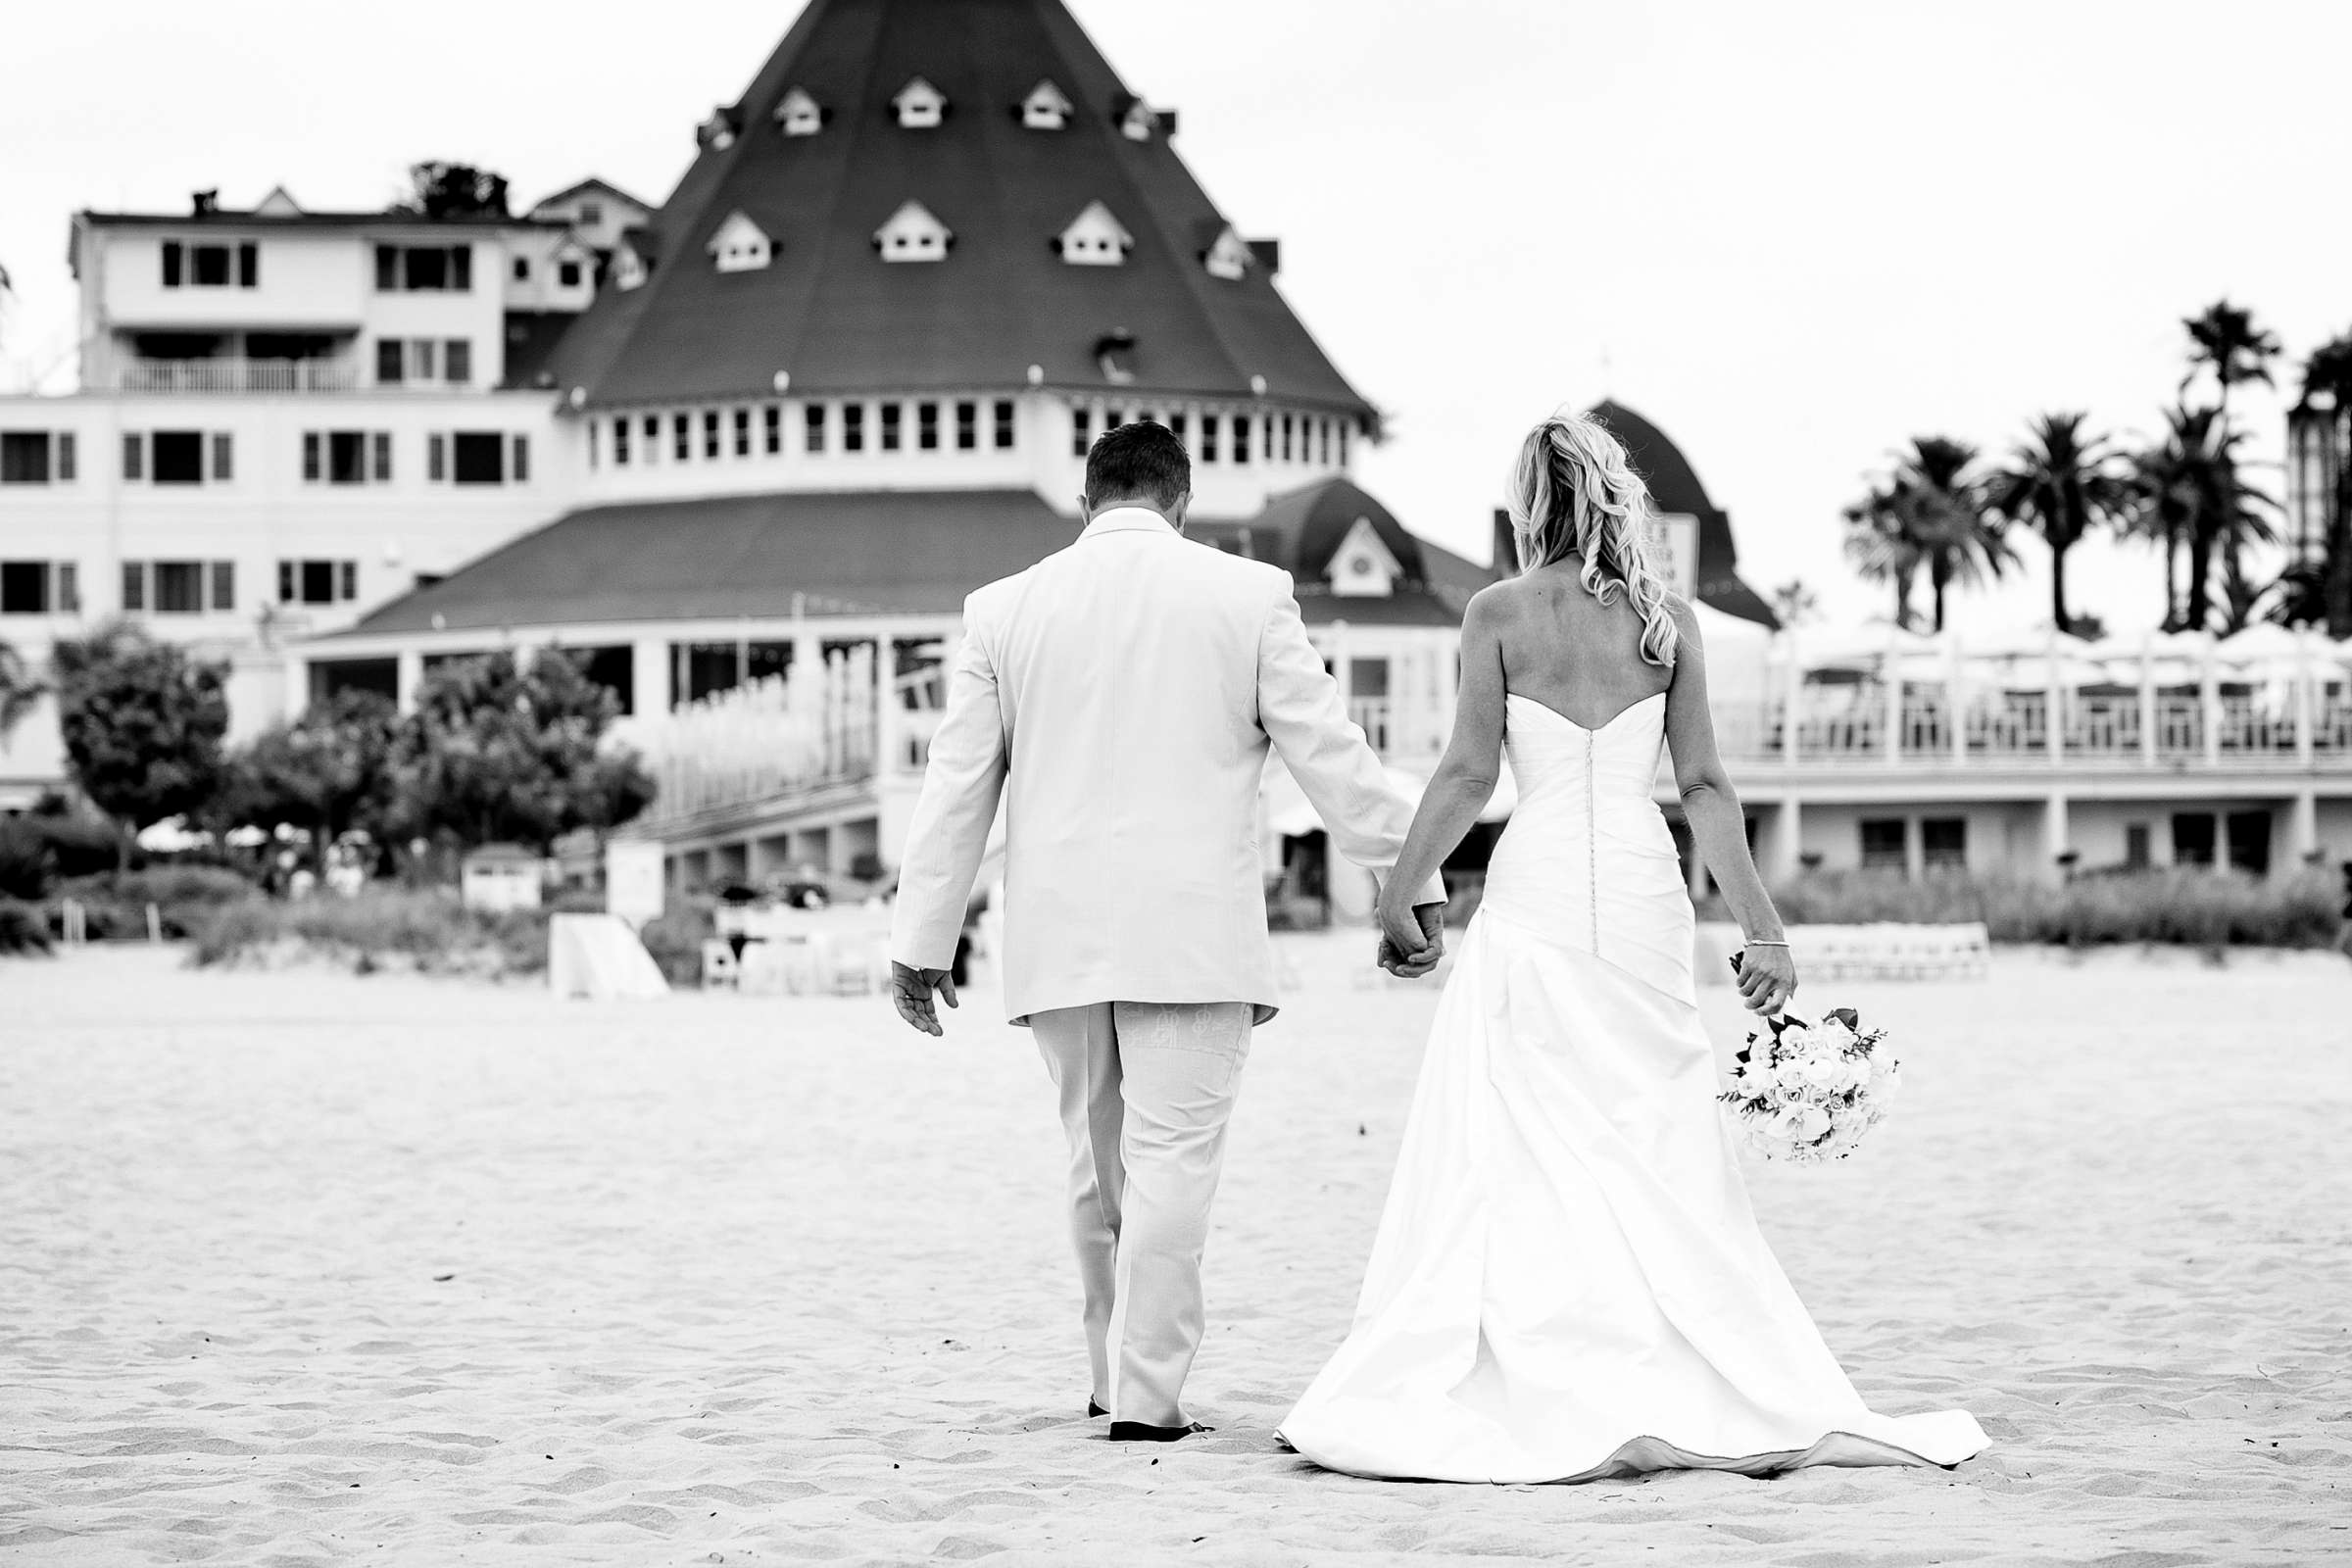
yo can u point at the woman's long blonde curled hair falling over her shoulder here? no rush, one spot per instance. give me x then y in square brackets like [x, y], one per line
[1575, 492]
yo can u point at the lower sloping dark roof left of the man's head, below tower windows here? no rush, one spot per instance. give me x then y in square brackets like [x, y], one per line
[740, 556]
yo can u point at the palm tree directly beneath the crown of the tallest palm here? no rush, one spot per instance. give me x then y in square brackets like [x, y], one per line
[2193, 490]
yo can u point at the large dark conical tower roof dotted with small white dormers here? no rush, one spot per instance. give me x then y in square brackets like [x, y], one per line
[838, 321]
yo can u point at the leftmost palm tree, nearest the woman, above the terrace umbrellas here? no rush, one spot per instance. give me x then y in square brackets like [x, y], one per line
[1932, 518]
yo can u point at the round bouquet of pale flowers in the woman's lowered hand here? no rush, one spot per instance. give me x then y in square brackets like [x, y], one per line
[1812, 1090]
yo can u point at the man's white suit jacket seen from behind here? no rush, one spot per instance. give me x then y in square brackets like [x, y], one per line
[1121, 697]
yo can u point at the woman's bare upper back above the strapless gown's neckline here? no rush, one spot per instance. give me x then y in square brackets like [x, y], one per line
[1570, 652]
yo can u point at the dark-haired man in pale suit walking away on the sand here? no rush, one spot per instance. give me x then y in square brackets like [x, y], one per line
[1121, 697]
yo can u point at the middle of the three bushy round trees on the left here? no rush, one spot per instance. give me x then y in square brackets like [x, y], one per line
[328, 772]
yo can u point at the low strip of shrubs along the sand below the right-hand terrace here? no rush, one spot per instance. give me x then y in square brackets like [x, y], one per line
[2191, 906]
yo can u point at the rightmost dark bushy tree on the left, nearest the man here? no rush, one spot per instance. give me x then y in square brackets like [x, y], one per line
[507, 753]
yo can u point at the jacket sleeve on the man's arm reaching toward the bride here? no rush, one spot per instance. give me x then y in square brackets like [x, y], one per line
[1302, 713]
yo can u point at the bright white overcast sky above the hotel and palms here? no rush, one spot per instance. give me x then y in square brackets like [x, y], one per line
[1793, 234]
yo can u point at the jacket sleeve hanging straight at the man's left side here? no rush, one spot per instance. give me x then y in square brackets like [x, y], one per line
[954, 815]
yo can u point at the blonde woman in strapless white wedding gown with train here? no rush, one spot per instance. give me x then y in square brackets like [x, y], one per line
[1570, 1282]
